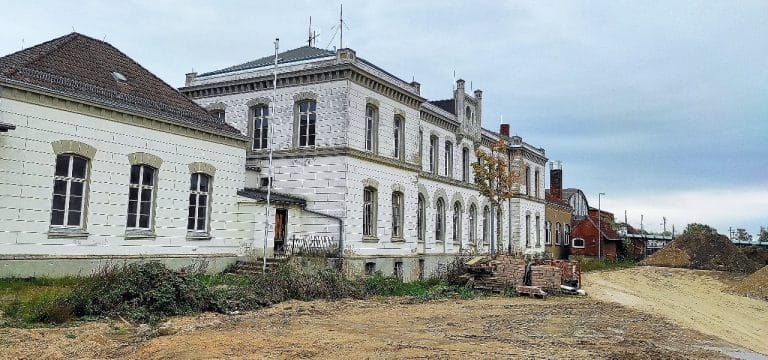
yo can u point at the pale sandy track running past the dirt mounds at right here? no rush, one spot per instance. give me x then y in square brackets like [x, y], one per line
[695, 299]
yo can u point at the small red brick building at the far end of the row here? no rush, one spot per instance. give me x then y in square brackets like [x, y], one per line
[584, 236]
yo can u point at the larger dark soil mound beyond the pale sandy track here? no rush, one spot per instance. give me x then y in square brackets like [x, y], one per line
[706, 251]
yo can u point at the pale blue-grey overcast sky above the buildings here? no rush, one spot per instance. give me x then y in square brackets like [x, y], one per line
[661, 105]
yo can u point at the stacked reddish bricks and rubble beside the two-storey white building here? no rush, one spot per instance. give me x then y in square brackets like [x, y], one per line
[508, 272]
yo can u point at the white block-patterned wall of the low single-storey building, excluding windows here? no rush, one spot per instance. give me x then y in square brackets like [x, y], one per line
[26, 181]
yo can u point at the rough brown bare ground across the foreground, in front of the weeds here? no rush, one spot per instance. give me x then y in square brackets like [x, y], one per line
[496, 327]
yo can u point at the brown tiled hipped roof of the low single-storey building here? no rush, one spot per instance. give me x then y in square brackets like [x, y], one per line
[81, 67]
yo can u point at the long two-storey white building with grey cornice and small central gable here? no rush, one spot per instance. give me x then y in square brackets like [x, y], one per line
[378, 168]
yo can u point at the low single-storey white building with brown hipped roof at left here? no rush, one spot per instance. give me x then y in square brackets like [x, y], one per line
[101, 160]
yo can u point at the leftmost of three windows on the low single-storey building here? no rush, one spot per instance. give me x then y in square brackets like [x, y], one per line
[69, 189]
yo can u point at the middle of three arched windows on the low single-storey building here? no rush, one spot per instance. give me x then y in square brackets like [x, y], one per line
[140, 197]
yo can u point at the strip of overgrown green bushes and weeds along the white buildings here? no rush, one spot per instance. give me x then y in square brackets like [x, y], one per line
[148, 292]
